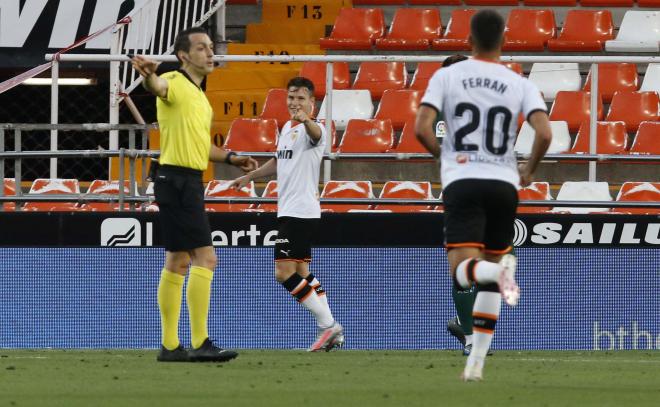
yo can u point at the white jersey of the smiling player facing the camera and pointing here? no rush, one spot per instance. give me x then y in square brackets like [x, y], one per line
[298, 167]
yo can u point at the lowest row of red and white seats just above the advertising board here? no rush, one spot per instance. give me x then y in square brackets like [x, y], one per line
[586, 191]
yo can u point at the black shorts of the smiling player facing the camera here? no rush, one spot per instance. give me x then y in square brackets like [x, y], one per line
[294, 238]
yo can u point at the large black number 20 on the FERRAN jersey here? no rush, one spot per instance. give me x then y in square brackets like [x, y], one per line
[473, 125]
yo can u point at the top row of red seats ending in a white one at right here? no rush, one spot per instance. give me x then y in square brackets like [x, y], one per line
[416, 29]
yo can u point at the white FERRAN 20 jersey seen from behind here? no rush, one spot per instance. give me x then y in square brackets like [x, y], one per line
[481, 102]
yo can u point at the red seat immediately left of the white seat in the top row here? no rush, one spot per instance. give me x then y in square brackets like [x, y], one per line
[583, 30]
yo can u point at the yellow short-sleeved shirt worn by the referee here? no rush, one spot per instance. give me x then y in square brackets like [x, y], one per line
[184, 118]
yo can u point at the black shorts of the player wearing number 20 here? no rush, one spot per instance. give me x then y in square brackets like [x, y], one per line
[480, 213]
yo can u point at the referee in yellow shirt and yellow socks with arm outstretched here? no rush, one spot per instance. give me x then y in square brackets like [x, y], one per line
[184, 118]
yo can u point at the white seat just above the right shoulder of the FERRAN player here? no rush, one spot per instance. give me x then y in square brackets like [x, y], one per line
[551, 78]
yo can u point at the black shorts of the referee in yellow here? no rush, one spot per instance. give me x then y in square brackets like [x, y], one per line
[179, 194]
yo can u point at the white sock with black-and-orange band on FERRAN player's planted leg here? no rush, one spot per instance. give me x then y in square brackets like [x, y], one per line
[485, 312]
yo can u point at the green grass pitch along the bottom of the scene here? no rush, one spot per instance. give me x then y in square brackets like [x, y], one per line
[344, 378]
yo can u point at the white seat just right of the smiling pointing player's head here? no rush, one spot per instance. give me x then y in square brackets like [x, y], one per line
[347, 105]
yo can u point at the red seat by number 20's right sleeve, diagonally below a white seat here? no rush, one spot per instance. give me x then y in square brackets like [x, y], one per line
[574, 108]
